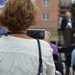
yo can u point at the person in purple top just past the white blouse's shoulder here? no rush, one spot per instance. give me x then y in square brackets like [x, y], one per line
[48, 39]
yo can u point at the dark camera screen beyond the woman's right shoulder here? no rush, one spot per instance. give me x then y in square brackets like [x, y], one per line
[36, 33]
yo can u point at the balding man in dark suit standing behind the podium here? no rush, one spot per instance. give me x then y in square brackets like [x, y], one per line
[68, 21]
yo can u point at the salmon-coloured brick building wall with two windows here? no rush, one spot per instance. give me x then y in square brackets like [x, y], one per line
[47, 17]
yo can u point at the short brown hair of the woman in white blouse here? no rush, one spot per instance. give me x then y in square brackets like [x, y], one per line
[18, 15]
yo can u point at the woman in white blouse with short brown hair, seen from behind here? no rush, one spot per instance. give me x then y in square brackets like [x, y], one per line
[19, 53]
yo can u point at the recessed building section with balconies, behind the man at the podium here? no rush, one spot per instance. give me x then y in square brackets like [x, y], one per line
[64, 6]
